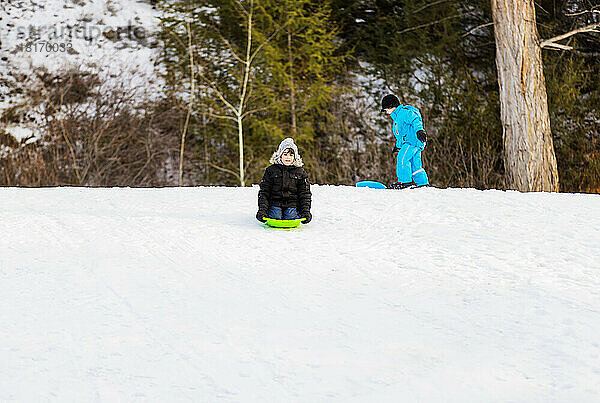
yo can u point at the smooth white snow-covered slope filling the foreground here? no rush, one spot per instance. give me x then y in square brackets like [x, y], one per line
[387, 296]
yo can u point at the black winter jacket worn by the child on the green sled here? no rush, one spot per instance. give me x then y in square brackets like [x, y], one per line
[285, 186]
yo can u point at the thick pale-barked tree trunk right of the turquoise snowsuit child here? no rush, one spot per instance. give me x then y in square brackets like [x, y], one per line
[529, 157]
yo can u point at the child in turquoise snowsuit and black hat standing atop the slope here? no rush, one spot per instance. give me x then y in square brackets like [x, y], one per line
[407, 127]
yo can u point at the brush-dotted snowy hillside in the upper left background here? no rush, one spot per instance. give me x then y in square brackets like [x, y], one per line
[111, 38]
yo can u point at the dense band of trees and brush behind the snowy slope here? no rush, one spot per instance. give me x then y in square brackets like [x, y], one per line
[243, 75]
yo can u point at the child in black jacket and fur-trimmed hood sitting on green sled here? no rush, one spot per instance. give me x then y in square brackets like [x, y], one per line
[284, 189]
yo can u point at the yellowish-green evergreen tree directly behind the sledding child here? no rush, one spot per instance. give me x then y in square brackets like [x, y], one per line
[305, 63]
